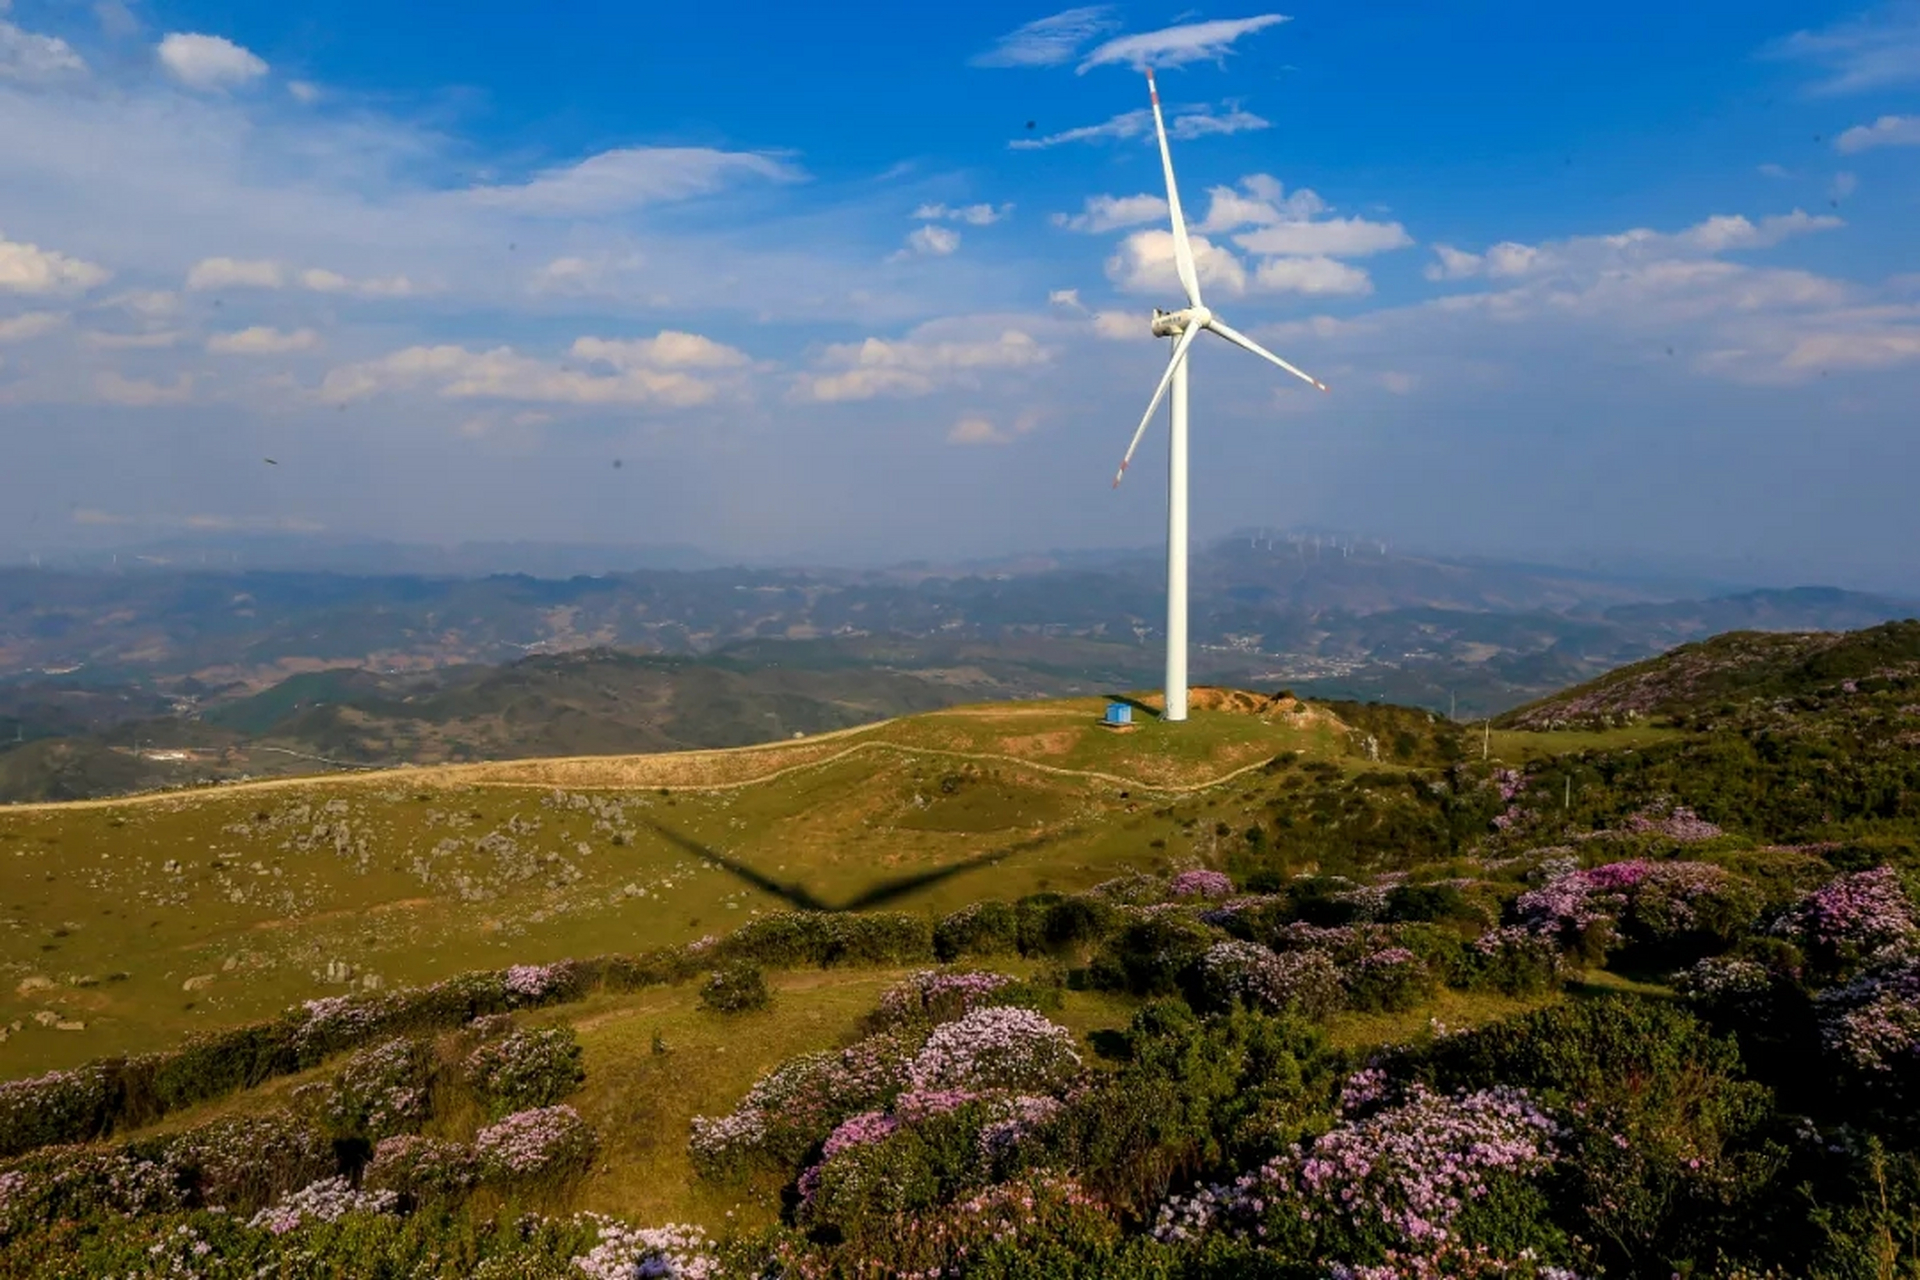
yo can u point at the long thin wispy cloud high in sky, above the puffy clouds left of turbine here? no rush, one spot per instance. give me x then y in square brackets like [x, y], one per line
[627, 179]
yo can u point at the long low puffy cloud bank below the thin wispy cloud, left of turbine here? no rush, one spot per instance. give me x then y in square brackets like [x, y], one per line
[502, 373]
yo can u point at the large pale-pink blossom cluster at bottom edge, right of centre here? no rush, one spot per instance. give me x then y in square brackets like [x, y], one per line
[1408, 1170]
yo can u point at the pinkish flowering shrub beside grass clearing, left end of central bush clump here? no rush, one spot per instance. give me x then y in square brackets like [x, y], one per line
[800, 1102]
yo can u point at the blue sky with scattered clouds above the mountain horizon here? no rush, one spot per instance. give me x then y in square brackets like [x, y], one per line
[1644, 281]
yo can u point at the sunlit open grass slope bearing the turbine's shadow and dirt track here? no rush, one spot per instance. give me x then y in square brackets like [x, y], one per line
[135, 922]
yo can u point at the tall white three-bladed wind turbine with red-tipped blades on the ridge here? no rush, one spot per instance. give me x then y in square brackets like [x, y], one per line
[1184, 327]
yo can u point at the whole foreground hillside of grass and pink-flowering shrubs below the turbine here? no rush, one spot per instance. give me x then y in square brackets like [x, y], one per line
[1291, 991]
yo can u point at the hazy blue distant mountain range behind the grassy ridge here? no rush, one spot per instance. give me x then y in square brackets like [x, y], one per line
[245, 673]
